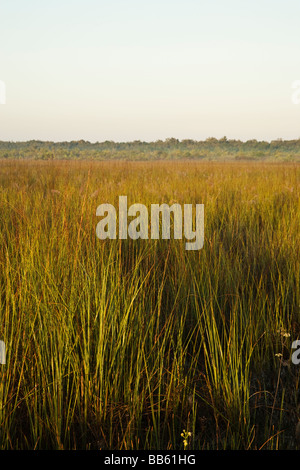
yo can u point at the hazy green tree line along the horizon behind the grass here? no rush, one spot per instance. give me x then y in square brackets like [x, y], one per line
[168, 149]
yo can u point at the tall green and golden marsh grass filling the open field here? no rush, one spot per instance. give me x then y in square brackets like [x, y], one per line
[123, 344]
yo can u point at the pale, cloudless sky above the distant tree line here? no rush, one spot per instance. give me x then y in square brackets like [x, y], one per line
[128, 70]
